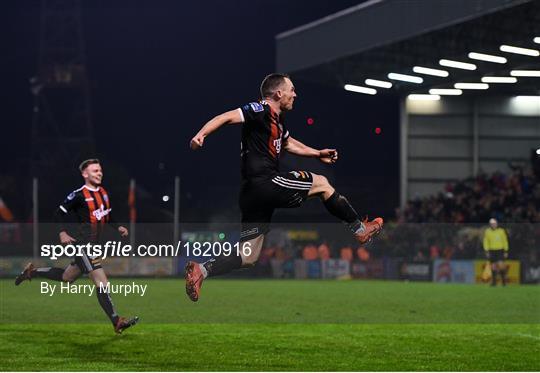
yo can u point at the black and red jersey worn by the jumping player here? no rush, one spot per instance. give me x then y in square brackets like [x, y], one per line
[263, 134]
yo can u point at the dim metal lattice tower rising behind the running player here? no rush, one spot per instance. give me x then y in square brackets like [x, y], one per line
[62, 132]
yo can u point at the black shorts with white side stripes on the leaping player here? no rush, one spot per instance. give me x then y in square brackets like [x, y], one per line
[260, 197]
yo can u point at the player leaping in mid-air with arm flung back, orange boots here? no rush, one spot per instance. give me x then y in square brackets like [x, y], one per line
[264, 188]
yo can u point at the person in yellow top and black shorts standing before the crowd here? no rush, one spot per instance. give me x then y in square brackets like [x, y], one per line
[496, 249]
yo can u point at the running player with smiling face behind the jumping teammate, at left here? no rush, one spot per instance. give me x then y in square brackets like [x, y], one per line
[92, 207]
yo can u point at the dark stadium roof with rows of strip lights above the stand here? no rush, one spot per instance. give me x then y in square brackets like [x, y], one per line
[379, 37]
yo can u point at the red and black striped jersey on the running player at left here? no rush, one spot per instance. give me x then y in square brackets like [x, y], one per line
[92, 209]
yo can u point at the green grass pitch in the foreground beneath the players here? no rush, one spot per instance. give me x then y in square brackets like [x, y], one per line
[276, 325]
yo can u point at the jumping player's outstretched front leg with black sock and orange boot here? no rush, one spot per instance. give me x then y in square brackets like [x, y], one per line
[340, 207]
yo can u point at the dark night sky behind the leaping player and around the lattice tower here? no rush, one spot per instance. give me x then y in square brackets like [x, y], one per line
[160, 69]
